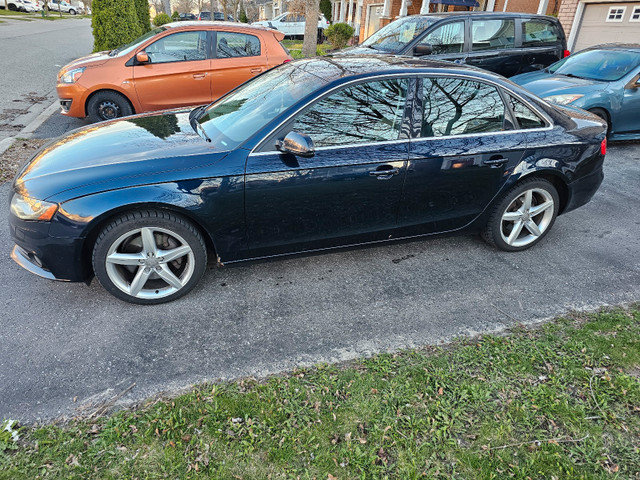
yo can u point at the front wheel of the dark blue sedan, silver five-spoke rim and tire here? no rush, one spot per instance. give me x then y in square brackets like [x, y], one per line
[138, 271]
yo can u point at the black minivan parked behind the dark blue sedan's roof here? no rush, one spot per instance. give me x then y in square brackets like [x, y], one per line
[504, 43]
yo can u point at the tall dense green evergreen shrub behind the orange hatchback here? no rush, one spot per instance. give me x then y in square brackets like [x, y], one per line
[114, 23]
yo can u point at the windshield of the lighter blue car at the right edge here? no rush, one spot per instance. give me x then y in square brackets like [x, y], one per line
[600, 65]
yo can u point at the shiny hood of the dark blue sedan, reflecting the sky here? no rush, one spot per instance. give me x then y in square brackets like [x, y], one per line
[138, 150]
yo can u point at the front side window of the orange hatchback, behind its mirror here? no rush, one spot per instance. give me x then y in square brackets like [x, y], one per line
[179, 47]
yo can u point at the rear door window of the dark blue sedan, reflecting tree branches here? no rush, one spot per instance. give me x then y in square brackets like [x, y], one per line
[452, 106]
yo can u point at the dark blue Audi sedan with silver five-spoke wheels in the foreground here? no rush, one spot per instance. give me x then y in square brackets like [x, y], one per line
[311, 155]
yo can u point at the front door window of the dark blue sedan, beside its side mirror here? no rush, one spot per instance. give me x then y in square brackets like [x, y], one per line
[366, 112]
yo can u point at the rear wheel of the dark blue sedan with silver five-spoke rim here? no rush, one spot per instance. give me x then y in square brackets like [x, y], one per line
[511, 226]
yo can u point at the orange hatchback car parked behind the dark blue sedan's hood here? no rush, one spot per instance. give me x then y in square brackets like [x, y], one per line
[175, 65]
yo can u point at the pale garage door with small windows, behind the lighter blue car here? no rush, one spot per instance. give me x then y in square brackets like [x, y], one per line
[609, 23]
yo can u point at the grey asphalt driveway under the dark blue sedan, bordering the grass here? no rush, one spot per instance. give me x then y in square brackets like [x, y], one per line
[60, 340]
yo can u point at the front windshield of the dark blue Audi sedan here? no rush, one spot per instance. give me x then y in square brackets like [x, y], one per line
[233, 119]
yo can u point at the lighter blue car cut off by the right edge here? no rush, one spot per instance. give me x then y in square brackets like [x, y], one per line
[604, 79]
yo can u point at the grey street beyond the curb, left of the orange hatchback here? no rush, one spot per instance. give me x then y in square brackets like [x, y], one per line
[31, 54]
